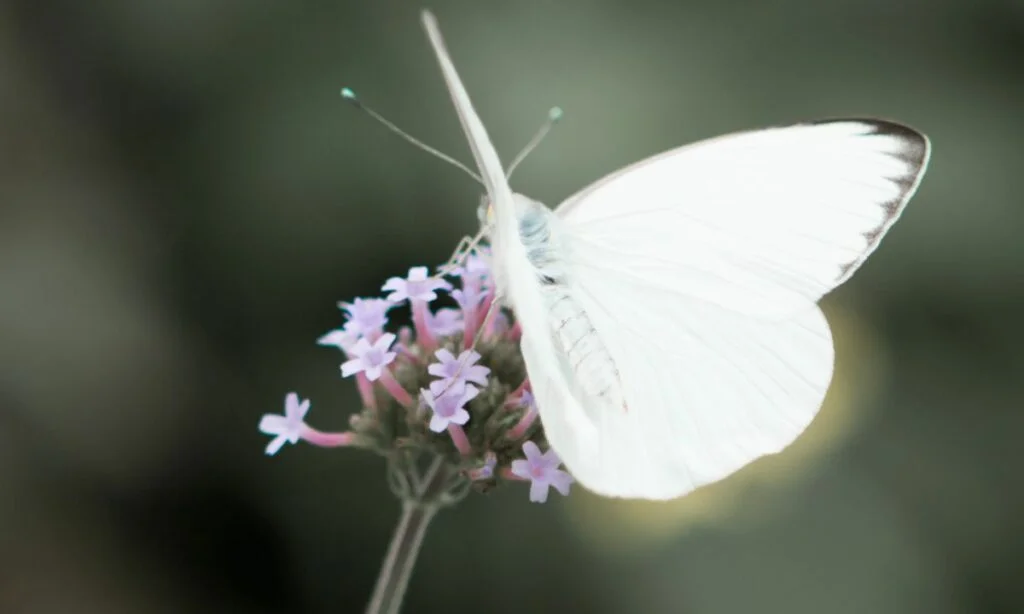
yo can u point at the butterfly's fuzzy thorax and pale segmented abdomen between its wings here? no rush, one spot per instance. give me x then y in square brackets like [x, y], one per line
[583, 353]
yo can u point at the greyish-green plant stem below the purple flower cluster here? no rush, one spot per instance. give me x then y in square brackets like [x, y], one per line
[418, 509]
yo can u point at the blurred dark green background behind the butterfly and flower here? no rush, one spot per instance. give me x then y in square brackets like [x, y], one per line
[184, 198]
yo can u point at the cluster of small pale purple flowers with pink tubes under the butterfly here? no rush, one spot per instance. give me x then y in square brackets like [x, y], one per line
[453, 385]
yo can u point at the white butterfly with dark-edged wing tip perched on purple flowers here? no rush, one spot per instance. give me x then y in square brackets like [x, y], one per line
[669, 315]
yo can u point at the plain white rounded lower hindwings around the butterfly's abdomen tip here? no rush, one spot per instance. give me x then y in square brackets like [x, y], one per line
[707, 390]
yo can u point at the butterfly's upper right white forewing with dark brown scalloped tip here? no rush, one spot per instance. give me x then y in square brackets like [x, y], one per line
[759, 223]
